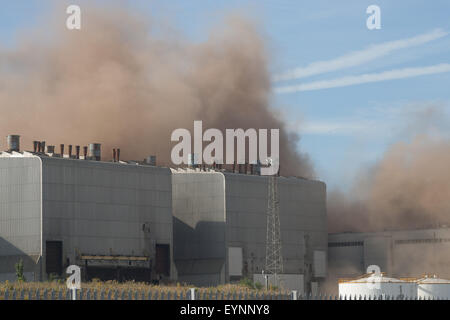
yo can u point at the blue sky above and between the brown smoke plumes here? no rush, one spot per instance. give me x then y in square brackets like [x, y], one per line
[343, 128]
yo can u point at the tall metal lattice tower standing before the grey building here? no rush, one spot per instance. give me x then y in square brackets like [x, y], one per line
[274, 258]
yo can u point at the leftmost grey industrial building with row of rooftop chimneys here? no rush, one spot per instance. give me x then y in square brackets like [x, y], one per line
[111, 218]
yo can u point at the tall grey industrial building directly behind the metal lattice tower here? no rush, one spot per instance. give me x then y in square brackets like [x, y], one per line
[220, 227]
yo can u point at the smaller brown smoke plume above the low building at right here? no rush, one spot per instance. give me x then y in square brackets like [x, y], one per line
[408, 189]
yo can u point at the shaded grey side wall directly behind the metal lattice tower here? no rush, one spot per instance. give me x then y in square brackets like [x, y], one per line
[302, 221]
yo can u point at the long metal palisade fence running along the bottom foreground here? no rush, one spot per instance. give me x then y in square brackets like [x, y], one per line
[95, 294]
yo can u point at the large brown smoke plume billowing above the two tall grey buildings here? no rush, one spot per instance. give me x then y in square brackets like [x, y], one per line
[118, 83]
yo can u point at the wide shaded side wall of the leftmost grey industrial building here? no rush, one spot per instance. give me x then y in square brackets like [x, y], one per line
[99, 208]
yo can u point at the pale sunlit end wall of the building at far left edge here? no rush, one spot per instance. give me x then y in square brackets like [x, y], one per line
[20, 214]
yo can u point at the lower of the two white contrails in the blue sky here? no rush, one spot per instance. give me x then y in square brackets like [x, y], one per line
[366, 78]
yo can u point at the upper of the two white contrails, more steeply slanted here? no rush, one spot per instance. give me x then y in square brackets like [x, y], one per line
[359, 57]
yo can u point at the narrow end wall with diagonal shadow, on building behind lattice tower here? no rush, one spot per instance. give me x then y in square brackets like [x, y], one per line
[199, 227]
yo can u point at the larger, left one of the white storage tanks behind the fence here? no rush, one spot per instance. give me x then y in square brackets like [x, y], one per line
[377, 286]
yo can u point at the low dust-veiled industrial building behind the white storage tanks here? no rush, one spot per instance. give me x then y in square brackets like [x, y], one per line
[405, 253]
